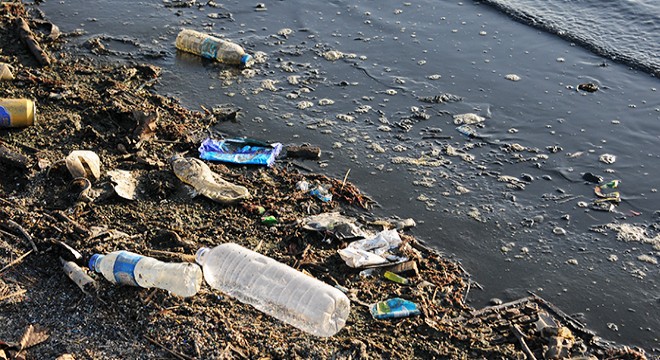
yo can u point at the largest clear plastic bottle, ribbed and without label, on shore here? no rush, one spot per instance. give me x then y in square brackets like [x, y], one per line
[275, 288]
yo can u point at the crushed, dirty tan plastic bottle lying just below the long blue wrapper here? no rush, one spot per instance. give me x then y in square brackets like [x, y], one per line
[197, 174]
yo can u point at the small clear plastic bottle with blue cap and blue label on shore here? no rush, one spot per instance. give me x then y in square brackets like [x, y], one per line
[127, 268]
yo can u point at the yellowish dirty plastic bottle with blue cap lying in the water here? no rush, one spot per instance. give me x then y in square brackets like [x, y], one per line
[212, 47]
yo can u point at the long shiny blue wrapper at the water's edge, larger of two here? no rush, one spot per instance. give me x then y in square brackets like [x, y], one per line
[240, 151]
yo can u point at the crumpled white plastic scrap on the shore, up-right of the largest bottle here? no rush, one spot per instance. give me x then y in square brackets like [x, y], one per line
[373, 251]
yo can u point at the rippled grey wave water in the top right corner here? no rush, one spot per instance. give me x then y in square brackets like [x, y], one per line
[622, 30]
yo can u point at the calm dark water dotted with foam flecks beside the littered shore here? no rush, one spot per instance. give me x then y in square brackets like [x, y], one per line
[398, 46]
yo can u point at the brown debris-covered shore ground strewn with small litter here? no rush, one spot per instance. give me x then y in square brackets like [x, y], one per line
[110, 165]
